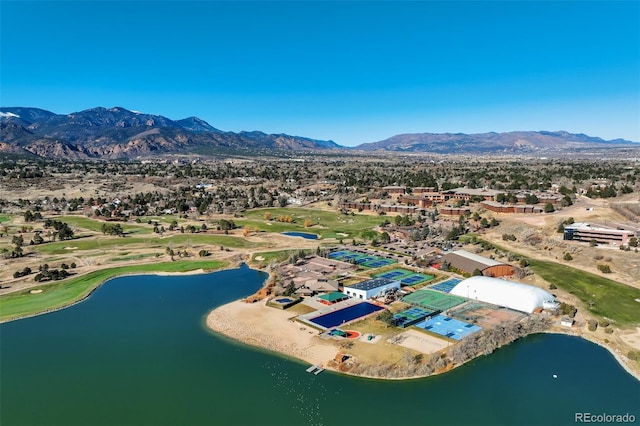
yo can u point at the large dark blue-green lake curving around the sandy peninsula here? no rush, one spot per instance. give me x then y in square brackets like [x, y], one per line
[137, 352]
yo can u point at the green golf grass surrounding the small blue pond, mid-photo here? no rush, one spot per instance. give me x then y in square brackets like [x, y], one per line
[327, 224]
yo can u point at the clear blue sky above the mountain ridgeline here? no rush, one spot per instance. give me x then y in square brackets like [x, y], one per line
[352, 71]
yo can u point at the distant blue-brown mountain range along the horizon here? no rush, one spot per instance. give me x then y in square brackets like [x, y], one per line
[112, 133]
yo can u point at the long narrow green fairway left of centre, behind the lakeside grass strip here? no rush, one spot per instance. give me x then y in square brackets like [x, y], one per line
[192, 240]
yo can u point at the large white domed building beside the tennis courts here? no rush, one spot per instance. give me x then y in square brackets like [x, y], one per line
[512, 295]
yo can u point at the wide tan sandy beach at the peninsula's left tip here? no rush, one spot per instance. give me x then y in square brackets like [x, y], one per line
[258, 325]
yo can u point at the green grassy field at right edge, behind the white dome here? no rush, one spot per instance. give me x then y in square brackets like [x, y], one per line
[607, 298]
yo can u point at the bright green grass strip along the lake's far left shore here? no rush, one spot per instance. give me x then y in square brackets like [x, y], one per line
[63, 293]
